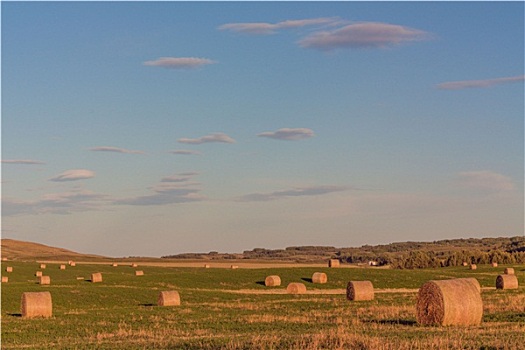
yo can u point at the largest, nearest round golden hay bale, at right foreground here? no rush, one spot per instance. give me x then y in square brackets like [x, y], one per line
[449, 302]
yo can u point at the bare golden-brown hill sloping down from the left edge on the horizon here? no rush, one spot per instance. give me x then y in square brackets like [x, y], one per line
[21, 250]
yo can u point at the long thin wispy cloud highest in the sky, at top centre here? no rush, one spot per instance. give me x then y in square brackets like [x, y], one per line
[263, 28]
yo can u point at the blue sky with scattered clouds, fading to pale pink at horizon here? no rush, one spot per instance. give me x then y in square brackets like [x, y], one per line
[136, 128]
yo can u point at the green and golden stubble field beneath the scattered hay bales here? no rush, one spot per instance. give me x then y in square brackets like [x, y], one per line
[232, 309]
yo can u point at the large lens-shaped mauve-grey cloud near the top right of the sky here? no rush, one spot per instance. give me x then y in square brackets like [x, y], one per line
[362, 35]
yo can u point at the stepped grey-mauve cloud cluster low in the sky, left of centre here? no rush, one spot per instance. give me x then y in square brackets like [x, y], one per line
[172, 189]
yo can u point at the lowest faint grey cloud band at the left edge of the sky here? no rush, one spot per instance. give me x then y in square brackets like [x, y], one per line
[55, 203]
